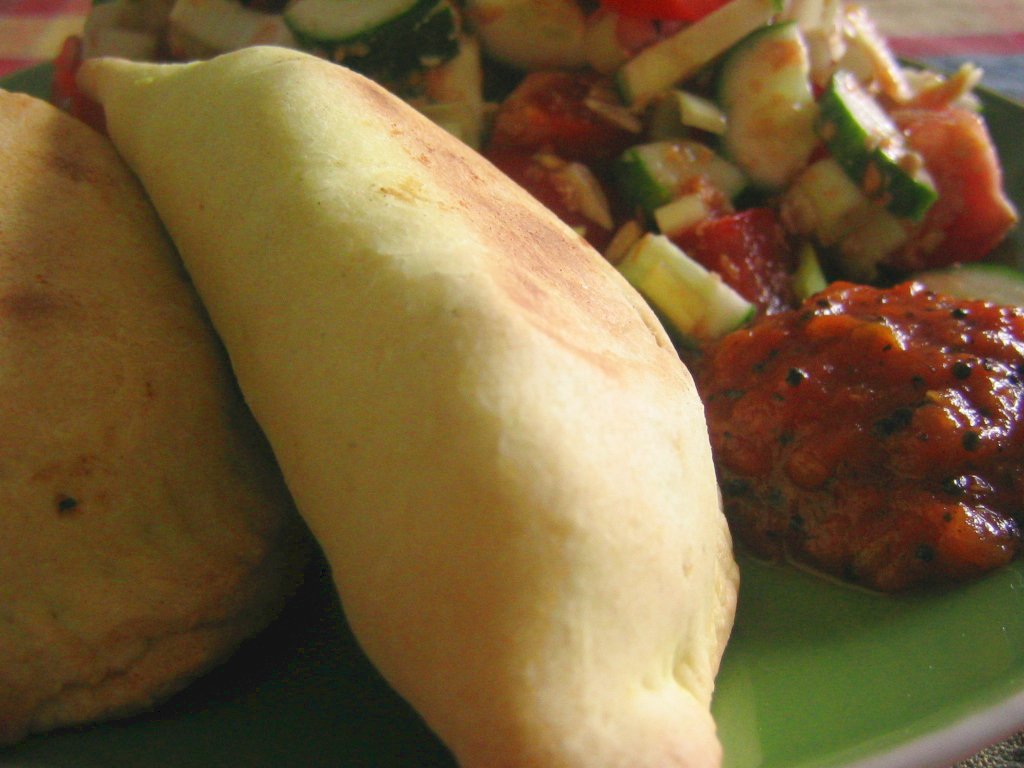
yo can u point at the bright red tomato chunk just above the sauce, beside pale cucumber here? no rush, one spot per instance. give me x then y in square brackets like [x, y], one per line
[750, 251]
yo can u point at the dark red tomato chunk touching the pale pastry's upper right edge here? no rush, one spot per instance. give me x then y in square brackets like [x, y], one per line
[540, 178]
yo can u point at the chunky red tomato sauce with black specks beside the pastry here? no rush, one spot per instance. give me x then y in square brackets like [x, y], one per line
[874, 435]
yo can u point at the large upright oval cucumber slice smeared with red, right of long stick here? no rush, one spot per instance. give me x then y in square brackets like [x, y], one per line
[766, 94]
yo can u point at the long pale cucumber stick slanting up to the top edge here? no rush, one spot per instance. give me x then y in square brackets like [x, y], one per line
[673, 60]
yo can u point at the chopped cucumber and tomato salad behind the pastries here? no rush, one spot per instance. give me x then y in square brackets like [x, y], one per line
[731, 157]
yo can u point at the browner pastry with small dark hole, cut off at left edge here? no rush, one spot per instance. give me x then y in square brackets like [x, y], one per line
[147, 530]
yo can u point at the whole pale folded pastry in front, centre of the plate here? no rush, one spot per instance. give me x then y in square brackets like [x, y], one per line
[487, 430]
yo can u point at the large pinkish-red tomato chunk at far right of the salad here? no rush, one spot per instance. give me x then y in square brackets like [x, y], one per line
[972, 215]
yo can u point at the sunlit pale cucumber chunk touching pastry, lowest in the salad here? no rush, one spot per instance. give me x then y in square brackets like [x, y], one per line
[695, 302]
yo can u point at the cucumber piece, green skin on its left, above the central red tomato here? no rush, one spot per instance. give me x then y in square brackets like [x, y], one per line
[652, 176]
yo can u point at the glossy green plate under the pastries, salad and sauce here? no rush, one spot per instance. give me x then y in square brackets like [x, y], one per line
[817, 674]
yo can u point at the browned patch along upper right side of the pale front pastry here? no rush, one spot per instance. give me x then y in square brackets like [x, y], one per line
[549, 273]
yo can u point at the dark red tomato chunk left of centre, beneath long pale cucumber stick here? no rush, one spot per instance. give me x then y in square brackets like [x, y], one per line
[561, 112]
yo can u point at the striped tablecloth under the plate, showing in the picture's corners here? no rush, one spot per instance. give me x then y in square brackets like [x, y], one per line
[942, 33]
